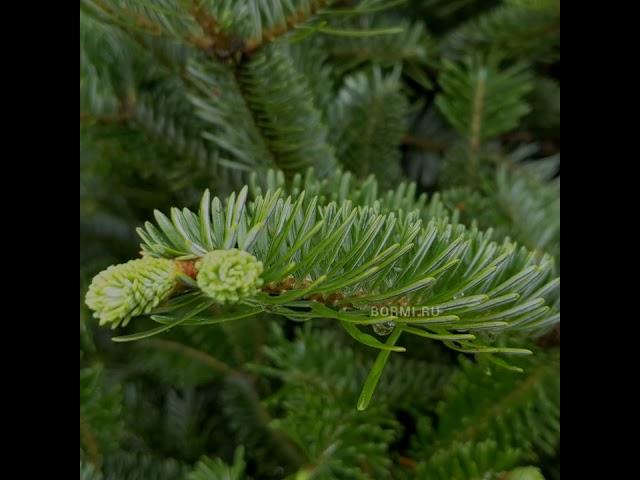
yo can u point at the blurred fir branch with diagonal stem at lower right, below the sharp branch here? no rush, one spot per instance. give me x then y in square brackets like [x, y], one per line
[516, 410]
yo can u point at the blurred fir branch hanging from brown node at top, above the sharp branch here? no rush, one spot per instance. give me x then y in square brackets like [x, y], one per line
[281, 124]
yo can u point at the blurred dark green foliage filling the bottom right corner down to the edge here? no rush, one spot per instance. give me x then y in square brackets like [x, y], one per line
[519, 412]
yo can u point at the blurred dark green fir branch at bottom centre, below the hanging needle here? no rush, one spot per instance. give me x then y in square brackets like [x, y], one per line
[336, 440]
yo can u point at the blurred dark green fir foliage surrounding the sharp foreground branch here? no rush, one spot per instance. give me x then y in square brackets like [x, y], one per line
[462, 98]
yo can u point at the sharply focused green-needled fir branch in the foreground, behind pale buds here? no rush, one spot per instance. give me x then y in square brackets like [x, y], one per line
[348, 263]
